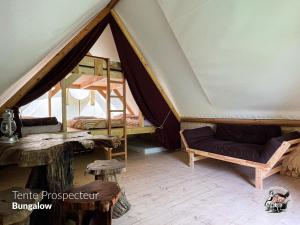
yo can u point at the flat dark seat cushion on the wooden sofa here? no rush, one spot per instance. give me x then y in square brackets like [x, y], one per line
[229, 148]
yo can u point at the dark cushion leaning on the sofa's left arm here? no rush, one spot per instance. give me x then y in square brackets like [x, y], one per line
[194, 136]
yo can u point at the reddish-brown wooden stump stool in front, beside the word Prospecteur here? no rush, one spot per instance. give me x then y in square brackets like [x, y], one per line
[97, 208]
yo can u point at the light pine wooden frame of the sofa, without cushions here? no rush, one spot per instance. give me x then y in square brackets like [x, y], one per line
[262, 170]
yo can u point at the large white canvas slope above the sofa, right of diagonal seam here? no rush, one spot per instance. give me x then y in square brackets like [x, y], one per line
[245, 54]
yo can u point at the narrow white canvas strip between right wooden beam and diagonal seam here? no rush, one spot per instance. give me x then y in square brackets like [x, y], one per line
[149, 28]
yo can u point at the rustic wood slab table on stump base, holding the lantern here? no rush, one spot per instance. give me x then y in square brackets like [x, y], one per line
[50, 156]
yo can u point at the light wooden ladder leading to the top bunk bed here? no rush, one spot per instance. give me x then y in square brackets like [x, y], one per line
[109, 96]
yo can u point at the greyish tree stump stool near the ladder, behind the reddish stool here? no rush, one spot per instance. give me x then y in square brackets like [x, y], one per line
[106, 170]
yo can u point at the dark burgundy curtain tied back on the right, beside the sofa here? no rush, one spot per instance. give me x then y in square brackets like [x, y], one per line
[147, 96]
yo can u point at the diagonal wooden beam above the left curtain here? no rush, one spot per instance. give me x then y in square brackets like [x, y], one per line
[59, 56]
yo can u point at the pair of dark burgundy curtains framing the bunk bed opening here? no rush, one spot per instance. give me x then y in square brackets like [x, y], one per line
[147, 96]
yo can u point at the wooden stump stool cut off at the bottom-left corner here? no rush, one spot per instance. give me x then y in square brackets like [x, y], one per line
[10, 216]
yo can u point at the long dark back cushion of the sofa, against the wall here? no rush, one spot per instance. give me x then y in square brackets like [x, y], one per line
[253, 134]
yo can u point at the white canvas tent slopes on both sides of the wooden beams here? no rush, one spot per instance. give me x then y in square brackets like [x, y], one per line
[213, 59]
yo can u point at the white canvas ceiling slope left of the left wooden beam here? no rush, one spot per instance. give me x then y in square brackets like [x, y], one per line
[32, 29]
